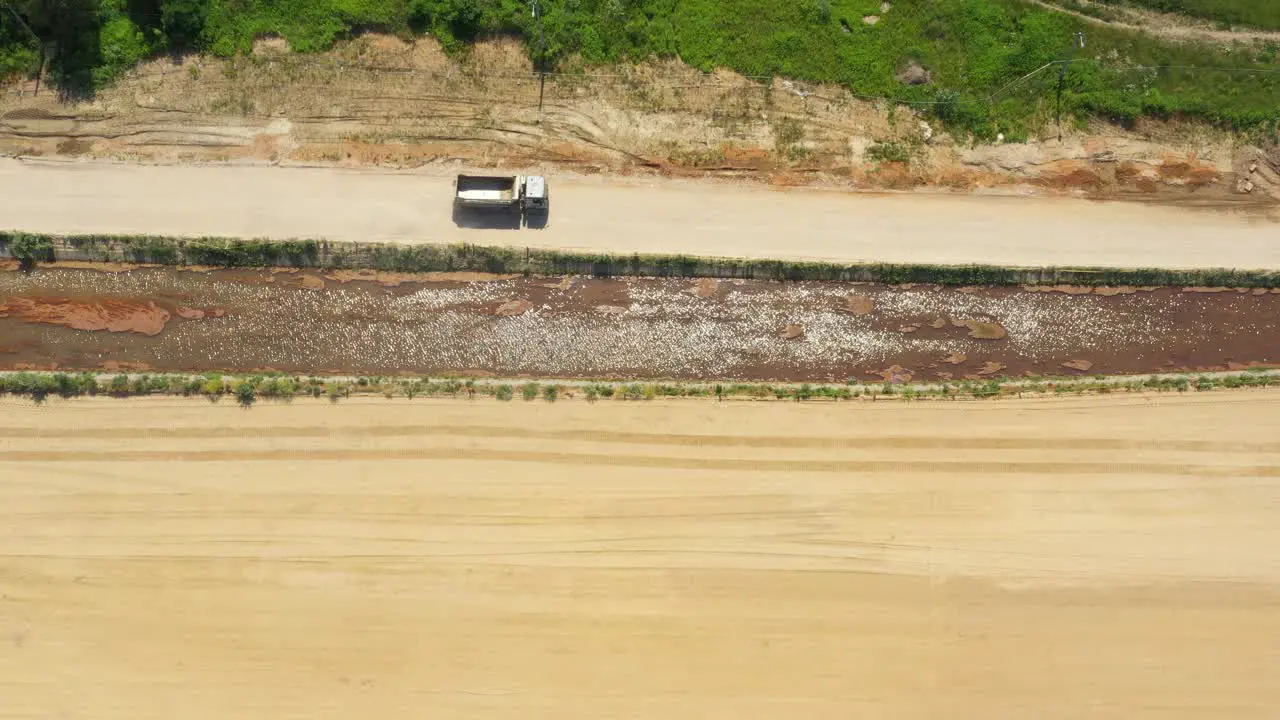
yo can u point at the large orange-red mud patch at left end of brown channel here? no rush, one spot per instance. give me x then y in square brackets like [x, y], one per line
[108, 315]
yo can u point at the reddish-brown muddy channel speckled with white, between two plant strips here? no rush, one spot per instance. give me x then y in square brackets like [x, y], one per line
[368, 323]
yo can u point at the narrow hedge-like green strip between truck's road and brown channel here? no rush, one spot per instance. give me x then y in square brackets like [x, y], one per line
[321, 254]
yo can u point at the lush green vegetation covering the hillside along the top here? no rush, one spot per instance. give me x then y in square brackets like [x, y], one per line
[968, 49]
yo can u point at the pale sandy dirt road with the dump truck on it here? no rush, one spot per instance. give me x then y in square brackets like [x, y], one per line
[629, 217]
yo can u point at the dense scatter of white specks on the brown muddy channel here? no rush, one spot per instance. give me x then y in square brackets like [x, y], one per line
[664, 331]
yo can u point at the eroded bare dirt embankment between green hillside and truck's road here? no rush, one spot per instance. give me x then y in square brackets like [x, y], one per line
[381, 102]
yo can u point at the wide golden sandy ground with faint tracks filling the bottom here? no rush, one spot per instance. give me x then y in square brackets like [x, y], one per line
[451, 560]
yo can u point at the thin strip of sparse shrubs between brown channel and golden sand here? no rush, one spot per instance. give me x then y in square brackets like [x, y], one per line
[248, 390]
